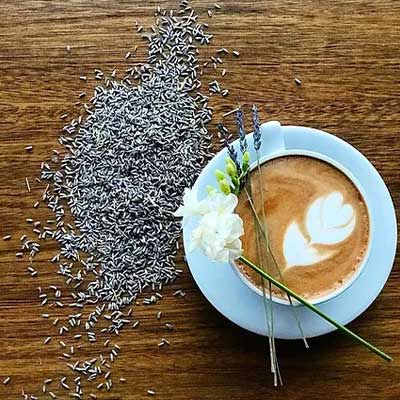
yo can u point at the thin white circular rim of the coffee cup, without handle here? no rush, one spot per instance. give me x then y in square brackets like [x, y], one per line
[356, 183]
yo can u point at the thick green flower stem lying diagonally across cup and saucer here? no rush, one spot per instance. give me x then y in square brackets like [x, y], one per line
[316, 310]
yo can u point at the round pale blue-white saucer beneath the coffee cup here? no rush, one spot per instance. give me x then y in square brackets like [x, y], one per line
[229, 295]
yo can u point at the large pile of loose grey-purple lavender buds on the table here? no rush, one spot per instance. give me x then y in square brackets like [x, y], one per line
[113, 196]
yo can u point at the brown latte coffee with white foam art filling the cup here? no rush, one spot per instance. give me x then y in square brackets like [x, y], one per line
[318, 224]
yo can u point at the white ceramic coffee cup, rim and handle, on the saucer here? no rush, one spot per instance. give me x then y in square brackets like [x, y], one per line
[273, 139]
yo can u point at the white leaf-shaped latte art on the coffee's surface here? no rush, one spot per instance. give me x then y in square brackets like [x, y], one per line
[328, 221]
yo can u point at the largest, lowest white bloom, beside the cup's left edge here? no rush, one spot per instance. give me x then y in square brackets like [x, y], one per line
[218, 236]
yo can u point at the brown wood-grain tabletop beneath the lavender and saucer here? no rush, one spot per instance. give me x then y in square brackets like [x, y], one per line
[346, 54]
